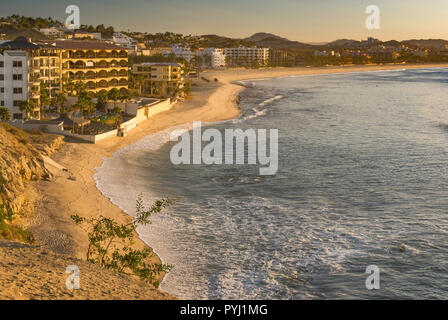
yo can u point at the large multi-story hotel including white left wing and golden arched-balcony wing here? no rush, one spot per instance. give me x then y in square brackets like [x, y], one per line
[25, 65]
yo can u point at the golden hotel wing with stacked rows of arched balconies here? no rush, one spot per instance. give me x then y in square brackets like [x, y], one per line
[100, 65]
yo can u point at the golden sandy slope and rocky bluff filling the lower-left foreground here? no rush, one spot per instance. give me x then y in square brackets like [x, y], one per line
[27, 270]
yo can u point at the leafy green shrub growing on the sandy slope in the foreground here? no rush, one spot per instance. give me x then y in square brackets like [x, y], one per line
[110, 243]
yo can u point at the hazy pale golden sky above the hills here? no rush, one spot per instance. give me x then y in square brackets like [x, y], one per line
[301, 20]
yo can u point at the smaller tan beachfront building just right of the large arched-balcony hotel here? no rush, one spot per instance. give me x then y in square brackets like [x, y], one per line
[158, 79]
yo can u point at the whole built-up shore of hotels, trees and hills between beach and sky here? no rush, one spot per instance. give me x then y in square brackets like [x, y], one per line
[94, 79]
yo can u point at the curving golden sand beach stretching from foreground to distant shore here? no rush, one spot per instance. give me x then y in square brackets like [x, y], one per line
[210, 102]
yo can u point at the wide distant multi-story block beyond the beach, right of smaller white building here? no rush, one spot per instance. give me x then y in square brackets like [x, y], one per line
[247, 57]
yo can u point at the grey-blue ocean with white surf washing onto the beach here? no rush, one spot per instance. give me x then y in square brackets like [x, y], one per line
[362, 180]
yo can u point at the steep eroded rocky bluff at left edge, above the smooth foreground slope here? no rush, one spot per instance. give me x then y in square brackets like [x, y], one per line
[21, 161]
